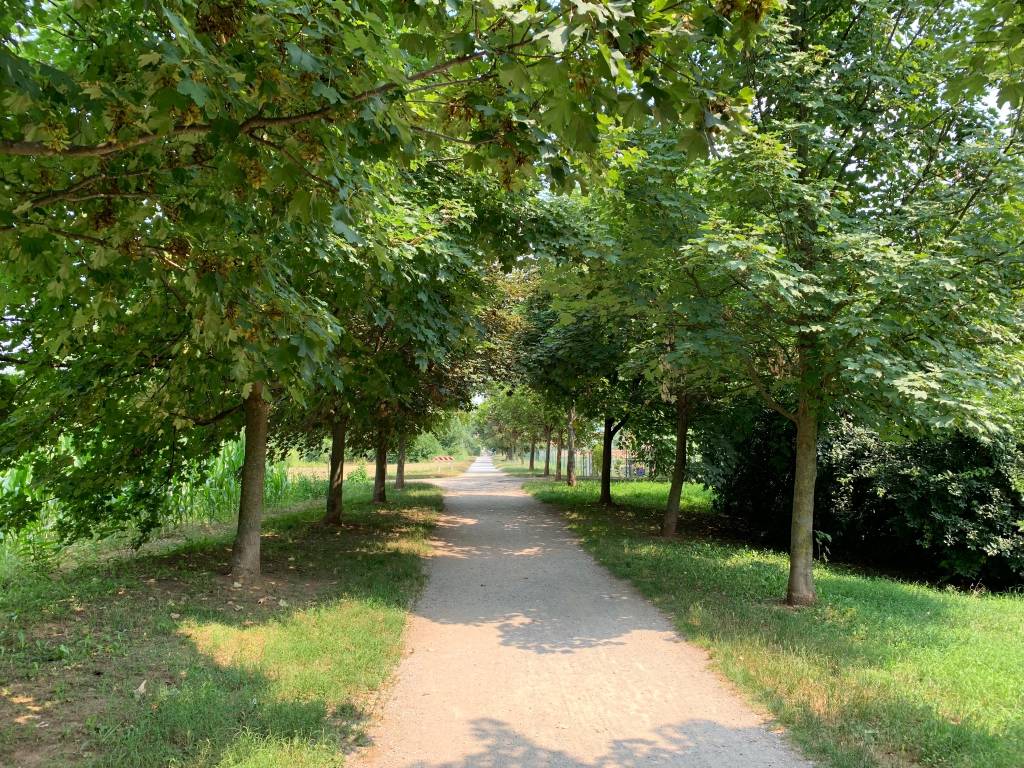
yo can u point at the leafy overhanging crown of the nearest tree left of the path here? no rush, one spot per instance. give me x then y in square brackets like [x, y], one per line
[201, 162]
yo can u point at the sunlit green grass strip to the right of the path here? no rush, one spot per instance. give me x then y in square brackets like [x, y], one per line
[879, 673]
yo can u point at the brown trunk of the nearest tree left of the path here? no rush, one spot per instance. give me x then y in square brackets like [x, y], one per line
[245, 553]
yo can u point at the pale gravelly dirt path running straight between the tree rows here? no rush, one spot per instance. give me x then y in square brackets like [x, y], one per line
[525, 653]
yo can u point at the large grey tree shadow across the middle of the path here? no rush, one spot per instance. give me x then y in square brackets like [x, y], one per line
[515, 566]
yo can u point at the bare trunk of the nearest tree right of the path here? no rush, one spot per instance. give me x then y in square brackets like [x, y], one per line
[801, 589]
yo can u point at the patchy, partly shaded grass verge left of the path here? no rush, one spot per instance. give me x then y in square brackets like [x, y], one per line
[160, 661]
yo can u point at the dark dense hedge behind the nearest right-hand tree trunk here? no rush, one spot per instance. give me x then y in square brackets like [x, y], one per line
[948, 506]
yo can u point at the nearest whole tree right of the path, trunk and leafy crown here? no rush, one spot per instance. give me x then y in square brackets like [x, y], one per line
[849, 246]
